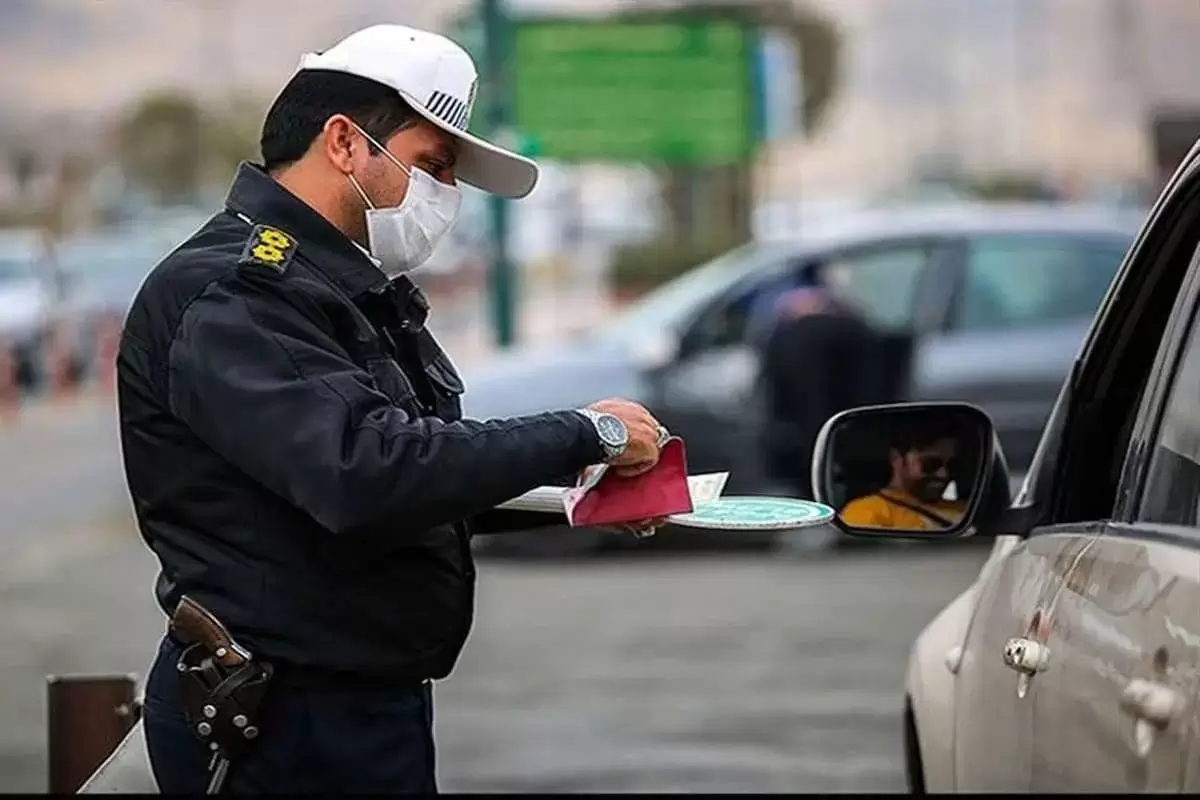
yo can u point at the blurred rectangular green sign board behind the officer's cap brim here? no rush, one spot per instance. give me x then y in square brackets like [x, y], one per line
[673, 92]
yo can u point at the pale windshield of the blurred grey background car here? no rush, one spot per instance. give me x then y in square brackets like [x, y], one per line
[671, 305]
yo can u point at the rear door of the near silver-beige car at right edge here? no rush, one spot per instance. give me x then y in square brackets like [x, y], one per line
[1123, 709]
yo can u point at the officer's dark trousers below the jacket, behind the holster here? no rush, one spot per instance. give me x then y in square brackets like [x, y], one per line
[314, 739]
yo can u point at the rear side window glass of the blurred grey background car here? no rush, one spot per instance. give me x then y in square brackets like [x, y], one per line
[1023, 281]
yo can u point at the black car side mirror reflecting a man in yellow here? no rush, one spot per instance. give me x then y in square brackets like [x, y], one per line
[913, 471]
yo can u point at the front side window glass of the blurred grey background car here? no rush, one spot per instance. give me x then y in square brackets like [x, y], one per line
[883, 282]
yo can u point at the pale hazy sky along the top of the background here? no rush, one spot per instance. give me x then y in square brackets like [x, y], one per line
[1028, 80]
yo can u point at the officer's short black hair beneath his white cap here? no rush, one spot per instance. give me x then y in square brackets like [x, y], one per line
[313, 97]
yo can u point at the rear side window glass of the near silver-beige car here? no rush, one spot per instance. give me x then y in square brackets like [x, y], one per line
[1172, 494]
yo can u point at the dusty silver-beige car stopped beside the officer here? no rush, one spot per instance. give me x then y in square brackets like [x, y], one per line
[1072, 664]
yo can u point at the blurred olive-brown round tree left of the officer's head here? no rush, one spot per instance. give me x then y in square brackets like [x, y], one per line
[160, 147]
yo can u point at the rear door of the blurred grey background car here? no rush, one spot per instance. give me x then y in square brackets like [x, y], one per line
[1023, 305]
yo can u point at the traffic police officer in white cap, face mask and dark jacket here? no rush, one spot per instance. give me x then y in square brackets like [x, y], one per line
[292, 432]
